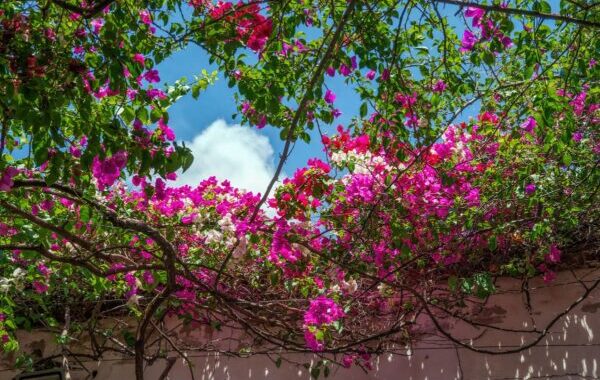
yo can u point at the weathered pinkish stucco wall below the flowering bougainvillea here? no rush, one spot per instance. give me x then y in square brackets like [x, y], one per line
[571, 350]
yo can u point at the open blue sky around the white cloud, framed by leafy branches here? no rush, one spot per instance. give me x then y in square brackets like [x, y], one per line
[191, 119]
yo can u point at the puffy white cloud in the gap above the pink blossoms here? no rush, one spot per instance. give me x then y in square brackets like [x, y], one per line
[230, 152]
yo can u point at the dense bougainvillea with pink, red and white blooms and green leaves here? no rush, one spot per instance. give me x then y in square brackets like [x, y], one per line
[408, 212]
